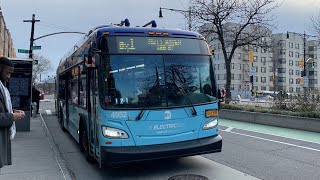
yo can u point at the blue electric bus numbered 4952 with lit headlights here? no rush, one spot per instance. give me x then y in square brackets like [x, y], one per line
[139, 93]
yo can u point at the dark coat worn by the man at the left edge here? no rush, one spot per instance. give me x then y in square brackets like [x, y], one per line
[6, 120]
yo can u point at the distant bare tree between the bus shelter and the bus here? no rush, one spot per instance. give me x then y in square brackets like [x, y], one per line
[43, 66]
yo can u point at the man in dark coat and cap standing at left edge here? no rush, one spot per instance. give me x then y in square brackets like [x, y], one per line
[7, 115]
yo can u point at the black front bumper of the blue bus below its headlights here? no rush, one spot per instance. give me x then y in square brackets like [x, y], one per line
[116, 155]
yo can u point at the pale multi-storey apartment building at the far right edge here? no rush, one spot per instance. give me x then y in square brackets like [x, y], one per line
[290, 51]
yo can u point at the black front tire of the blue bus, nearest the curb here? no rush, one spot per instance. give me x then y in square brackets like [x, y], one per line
[84, 143]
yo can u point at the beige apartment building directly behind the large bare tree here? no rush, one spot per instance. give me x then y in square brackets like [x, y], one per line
[241, 67]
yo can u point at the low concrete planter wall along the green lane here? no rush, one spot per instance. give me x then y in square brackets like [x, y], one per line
[293, 122]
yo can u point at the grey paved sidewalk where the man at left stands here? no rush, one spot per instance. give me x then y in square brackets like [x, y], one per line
[34, 156]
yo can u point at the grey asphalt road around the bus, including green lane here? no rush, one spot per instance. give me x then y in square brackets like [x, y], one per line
[248, 151]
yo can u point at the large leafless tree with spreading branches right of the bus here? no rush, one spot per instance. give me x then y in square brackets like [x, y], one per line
[235, 23]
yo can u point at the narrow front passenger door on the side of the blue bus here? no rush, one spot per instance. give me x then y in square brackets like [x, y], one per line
[93, 93]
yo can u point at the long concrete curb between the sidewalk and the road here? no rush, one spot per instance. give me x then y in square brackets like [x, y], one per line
[67, 175]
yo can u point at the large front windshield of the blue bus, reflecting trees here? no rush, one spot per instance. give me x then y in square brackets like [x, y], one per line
[155, 81]
